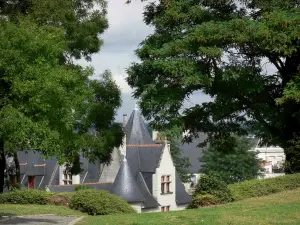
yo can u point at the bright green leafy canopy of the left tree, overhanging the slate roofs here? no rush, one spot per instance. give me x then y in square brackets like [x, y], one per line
[49, 107]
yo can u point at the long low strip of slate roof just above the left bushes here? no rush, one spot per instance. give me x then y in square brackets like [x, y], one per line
[70, 188]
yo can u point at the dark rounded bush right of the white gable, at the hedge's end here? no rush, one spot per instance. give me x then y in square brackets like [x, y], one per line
[211, 184]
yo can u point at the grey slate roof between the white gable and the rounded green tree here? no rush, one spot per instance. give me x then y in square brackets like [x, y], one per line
[193, 153]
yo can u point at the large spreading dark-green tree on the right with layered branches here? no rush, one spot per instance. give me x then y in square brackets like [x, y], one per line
[244, 54]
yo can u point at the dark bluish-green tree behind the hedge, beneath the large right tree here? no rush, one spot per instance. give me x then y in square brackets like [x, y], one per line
[232, 165]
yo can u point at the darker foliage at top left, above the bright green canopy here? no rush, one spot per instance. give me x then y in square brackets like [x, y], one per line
[81, 21]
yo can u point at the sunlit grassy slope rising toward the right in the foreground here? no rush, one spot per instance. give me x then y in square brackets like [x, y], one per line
[281, 208]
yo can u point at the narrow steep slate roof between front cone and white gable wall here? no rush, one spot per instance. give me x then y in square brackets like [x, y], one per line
[149, 200]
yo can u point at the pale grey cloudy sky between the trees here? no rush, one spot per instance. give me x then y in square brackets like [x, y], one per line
[123, 36]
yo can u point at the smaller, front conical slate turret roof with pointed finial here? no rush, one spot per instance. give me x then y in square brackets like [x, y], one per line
[125, 185]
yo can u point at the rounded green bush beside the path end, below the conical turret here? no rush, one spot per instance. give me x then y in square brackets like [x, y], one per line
[96, 202]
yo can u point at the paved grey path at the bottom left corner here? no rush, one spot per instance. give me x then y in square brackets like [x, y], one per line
[39, 220]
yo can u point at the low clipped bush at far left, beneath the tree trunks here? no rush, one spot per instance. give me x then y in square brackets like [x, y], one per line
[26, 196]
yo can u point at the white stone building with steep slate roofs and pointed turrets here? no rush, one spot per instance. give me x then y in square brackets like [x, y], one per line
[141, 172]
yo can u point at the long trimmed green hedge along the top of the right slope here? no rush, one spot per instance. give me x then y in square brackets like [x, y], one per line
[256, 188]
